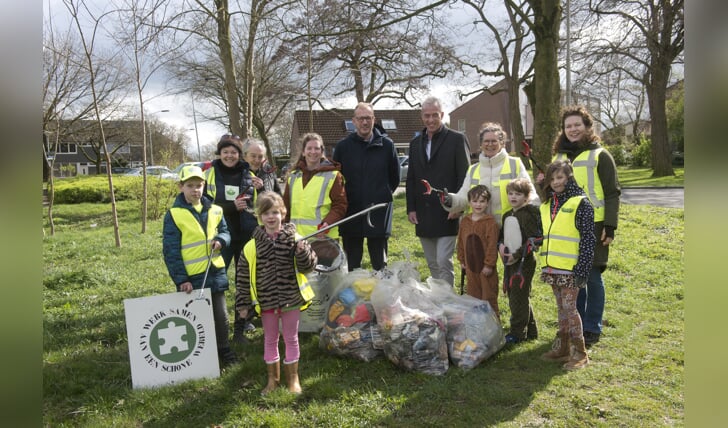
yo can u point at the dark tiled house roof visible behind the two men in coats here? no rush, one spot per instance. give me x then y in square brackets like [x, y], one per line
[400, 125]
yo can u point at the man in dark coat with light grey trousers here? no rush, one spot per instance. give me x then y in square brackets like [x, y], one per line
[442, 157]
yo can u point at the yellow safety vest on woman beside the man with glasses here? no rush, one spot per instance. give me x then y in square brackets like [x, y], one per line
[310, 204]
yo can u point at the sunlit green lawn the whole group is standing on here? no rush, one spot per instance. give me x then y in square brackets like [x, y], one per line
[636, 375]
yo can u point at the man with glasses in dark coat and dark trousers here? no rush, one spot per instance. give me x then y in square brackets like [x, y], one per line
[371, 174]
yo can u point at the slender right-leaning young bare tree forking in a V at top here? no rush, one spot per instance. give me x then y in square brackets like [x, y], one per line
[74, 7]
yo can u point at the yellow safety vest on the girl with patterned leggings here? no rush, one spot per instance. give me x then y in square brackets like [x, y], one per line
[560, 248]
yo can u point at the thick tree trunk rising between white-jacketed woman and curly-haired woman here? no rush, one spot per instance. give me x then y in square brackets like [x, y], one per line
[546, 89]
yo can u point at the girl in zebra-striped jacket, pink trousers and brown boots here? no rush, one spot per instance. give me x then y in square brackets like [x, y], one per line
[271, 280]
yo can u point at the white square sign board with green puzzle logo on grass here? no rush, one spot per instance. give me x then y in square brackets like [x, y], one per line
[171, 338]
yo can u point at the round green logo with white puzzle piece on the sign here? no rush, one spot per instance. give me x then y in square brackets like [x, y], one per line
[173, 339]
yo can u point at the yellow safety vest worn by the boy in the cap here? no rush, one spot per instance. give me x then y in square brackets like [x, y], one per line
[196, 243]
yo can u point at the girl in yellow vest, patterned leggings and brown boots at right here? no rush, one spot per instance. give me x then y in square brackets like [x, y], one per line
[566, 255]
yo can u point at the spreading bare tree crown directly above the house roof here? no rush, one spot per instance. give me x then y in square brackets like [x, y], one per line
[372, 49]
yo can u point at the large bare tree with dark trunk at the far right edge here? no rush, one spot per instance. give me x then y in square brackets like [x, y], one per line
[650, 33]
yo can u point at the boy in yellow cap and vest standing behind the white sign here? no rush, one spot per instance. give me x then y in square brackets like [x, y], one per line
[194, 232]
